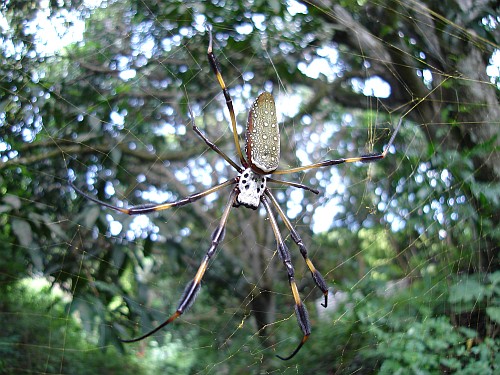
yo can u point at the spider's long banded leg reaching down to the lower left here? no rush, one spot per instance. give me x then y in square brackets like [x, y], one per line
[193, 287]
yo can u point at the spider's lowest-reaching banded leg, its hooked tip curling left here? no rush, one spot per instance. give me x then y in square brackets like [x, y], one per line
[284, 254]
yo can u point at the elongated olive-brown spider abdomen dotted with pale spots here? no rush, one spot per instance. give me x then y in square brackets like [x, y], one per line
[262, 135]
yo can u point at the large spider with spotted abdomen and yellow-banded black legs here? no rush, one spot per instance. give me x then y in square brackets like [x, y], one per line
[262, 149]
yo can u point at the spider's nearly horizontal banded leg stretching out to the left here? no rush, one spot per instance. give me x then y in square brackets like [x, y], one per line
[148, 208]
